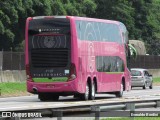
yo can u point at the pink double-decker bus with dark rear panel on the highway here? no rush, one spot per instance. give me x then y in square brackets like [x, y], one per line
[67, 55]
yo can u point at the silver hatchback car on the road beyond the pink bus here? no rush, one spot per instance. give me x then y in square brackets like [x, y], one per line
[141, 78]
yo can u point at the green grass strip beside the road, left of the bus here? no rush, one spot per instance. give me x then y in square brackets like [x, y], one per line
[13, 89]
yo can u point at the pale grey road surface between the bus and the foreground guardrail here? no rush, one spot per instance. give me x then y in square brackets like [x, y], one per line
[11, 103]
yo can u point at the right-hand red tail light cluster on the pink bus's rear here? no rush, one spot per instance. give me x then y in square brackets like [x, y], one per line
[72, 74]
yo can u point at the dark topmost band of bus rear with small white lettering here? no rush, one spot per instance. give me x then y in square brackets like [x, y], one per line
[49, 26]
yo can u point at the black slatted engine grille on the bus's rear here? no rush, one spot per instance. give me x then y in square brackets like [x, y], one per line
[45, 58]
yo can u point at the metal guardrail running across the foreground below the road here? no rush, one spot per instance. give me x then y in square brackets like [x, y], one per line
[110, 109]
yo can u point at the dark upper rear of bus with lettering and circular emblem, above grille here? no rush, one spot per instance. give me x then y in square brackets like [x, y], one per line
[49, 33]
